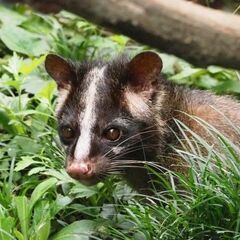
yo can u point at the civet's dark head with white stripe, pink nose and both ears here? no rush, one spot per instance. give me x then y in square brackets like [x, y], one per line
[104, 112]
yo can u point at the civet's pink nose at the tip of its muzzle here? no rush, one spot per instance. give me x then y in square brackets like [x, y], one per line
[80, 170]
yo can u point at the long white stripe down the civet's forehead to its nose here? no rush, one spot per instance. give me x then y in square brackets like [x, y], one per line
[88, 116]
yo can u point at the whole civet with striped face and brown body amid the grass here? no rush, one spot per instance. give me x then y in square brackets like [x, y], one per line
[114, 116]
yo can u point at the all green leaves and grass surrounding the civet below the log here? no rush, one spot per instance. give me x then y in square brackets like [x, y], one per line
[39, 201]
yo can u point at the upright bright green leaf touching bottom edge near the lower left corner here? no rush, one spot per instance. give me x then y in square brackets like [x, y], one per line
[23, 212]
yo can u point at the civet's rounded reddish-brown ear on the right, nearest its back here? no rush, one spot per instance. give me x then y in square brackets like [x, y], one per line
[143, 71]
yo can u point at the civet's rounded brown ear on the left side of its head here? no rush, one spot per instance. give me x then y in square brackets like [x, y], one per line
[60, 70]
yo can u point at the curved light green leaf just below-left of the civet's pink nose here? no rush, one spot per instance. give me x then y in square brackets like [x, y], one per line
[41, 189]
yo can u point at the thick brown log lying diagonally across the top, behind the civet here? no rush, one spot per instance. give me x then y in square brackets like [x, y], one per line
[198, 34]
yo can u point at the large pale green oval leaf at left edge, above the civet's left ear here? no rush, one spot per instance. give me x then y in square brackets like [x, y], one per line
[22, 41]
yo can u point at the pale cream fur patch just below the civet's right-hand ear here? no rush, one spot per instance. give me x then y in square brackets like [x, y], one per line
[137, 105]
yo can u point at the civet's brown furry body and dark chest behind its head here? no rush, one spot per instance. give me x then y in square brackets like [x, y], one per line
[174, 102]
